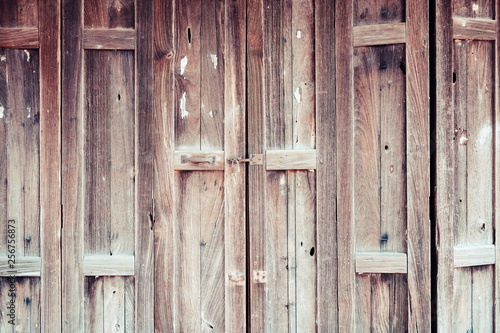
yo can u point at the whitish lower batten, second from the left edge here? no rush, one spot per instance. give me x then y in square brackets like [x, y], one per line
[102, 265]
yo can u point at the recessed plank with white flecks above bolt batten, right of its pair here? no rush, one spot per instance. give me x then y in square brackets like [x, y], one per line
[212, 75]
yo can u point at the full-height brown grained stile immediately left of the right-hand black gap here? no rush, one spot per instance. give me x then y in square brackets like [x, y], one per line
[417, 121]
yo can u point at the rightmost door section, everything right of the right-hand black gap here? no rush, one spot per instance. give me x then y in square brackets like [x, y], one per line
[467, 164]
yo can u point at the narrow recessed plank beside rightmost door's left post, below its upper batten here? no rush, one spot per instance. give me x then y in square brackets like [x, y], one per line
[462, 310]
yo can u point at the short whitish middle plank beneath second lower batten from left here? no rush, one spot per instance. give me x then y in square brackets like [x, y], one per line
[113, 298]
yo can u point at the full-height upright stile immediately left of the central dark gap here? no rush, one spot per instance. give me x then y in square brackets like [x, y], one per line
[234, 175]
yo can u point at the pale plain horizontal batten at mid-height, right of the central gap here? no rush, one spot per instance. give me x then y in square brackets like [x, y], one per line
[291, 160]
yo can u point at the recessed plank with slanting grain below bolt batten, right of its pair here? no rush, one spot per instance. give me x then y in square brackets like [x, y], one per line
[212, 252]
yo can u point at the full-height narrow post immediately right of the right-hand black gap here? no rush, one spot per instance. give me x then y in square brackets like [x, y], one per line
[444, 165]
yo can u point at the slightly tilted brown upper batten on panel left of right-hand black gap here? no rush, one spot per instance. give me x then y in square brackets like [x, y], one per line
[379, 34]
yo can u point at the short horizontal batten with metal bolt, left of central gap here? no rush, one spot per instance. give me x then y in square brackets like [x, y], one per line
[199, 160]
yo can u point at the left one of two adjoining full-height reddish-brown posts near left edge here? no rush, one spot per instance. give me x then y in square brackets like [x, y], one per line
[50, 162]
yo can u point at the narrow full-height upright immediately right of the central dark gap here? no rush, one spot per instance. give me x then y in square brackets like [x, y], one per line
[256, 292]
